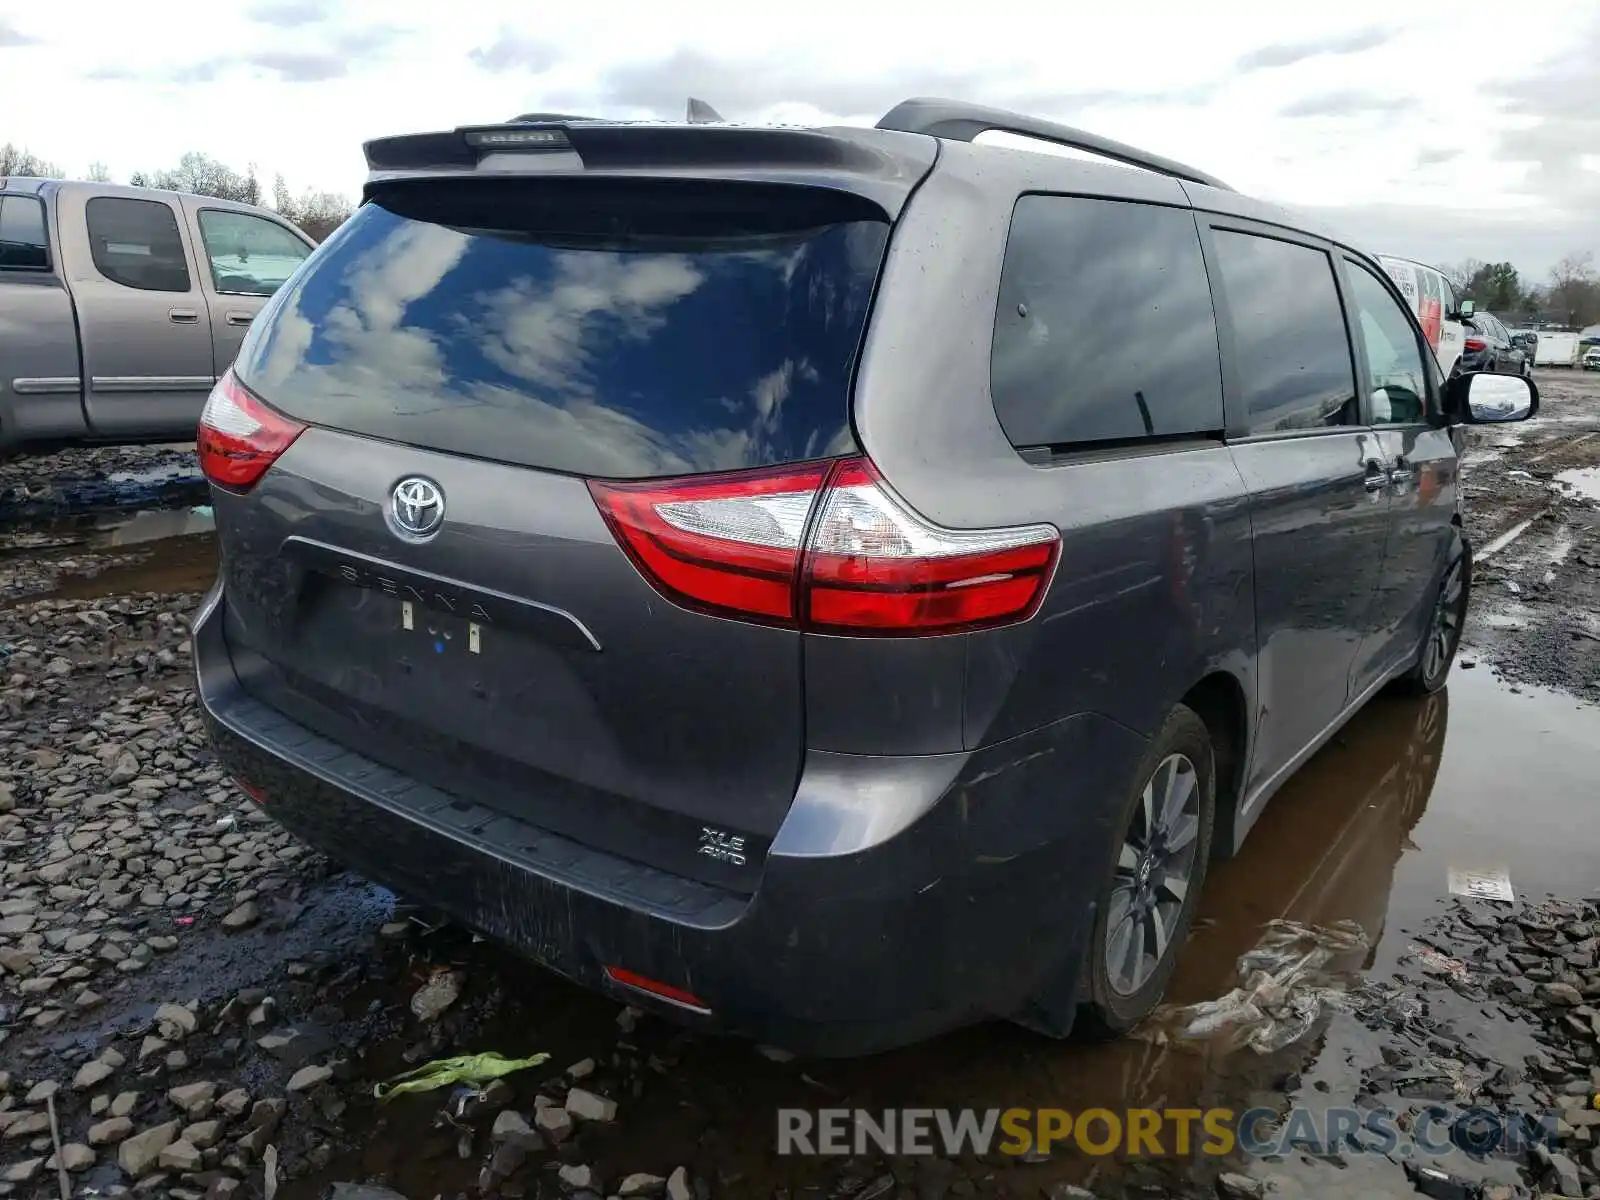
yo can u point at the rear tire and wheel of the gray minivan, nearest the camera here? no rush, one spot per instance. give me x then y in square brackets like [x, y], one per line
[1124, 977]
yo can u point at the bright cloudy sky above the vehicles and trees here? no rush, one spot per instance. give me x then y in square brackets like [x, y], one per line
[1441, 132]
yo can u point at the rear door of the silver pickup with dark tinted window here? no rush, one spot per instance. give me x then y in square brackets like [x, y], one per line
[143, 321]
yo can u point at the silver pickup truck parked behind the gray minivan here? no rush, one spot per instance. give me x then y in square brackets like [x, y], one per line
[121, 306]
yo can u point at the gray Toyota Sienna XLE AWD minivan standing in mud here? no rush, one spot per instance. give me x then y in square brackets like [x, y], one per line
[634, 551]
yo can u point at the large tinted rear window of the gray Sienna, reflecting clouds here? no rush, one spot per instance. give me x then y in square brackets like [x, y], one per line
[580, 327]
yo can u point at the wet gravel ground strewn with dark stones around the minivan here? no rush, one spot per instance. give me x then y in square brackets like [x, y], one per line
[207, 1006]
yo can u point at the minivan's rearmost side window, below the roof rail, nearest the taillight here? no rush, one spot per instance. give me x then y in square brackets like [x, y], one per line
[1105, 327]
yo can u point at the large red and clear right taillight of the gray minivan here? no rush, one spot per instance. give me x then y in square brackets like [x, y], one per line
[826, 548]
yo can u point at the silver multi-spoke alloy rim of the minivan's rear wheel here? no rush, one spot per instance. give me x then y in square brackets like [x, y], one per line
[1154, 871]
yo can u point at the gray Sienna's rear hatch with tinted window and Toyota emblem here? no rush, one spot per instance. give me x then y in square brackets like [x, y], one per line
[494, 348]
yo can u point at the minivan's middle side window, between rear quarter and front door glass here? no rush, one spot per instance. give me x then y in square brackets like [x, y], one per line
[1292, 350]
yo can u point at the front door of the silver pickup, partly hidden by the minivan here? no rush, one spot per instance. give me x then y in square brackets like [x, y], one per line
[244, 260]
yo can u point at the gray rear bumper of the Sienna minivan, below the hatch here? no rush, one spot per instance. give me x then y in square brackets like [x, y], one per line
[902, 898]
